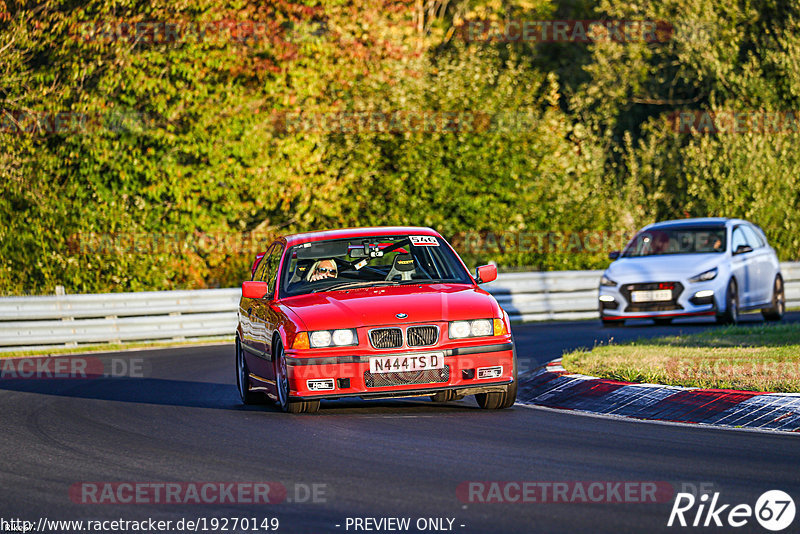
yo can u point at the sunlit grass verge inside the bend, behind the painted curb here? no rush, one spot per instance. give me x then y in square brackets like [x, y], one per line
[760, 358]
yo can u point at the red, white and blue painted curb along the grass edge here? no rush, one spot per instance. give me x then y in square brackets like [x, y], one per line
[553, 387]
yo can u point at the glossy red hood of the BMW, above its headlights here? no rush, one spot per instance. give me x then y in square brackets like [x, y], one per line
[376, 306]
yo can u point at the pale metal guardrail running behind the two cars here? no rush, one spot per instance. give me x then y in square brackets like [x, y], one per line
[46, 321]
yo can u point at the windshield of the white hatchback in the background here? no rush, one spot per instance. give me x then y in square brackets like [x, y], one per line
[659, 242]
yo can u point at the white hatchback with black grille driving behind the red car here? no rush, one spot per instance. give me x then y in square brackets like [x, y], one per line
[710, 266]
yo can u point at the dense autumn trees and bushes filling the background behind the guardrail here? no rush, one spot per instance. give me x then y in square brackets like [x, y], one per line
[183, 171]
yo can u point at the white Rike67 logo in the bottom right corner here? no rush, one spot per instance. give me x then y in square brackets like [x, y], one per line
[774, 510]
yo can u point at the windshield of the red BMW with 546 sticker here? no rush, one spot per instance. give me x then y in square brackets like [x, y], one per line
[369, 261]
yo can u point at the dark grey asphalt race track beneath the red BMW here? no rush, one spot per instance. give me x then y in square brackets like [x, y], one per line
[179, 419]
